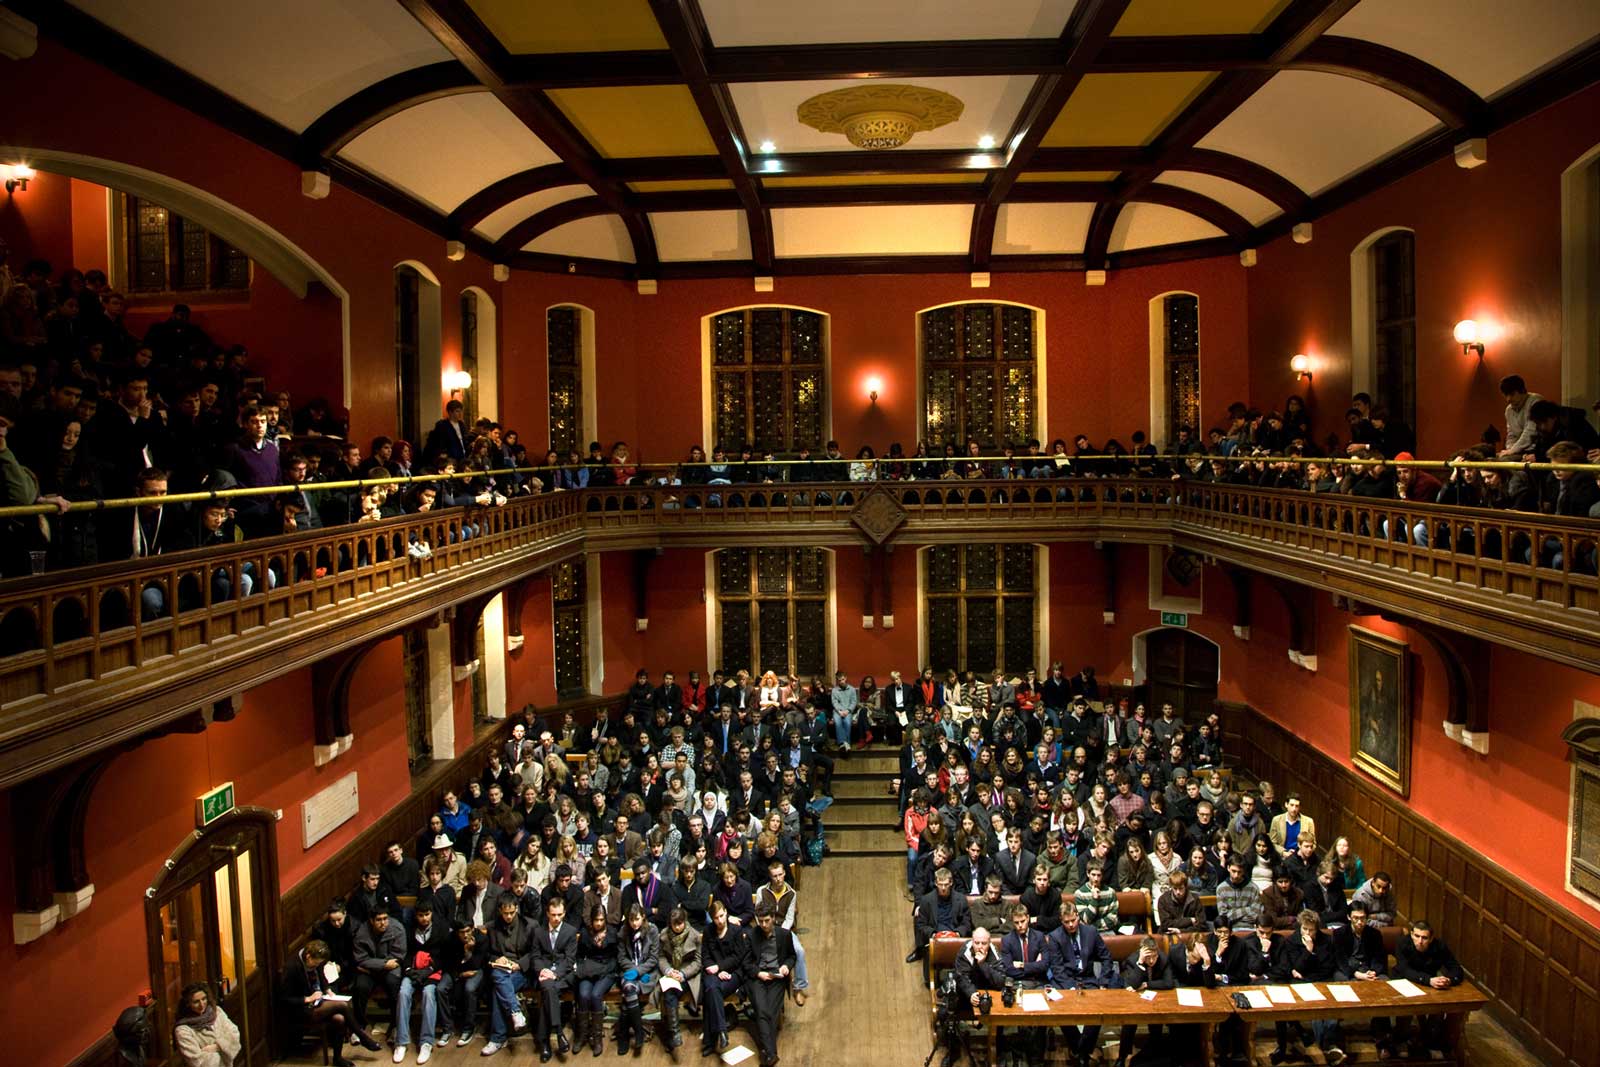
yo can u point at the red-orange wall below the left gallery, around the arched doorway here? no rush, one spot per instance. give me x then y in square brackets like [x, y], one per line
[145, 809]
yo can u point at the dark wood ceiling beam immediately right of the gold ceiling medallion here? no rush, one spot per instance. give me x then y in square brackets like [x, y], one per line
[1089, 28]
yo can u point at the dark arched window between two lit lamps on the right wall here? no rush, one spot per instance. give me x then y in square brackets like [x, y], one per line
[1383, 322]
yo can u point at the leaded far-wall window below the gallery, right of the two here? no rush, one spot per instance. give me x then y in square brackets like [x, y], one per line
[982, 607]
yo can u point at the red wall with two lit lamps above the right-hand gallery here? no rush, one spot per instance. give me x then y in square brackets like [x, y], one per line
[1487, 249]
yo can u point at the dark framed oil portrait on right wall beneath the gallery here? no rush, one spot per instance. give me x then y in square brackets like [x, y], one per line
[1382, 708]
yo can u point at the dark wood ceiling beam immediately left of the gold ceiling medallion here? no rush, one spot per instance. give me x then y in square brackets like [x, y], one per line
[684, 26]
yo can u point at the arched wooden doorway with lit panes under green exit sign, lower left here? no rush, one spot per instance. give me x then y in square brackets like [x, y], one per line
[212, 917]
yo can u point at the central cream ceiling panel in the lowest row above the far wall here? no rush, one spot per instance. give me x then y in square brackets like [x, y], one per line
[879, 231]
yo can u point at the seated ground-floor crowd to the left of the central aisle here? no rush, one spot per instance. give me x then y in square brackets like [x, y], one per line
[650, 855]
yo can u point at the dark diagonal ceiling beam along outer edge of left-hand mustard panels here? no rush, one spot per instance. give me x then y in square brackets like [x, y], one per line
[455, 26]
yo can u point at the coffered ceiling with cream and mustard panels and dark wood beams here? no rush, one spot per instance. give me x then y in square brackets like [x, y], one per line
[658, 138]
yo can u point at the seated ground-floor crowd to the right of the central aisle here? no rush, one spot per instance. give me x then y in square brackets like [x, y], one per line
[1031, 817]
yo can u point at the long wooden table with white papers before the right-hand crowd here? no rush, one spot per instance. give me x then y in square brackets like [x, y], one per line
[1124, 1007]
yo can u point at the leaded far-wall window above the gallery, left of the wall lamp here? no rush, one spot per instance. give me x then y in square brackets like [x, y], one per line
[769, 380]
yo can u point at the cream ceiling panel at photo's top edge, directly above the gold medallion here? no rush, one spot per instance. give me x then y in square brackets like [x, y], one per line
[839, 22]
